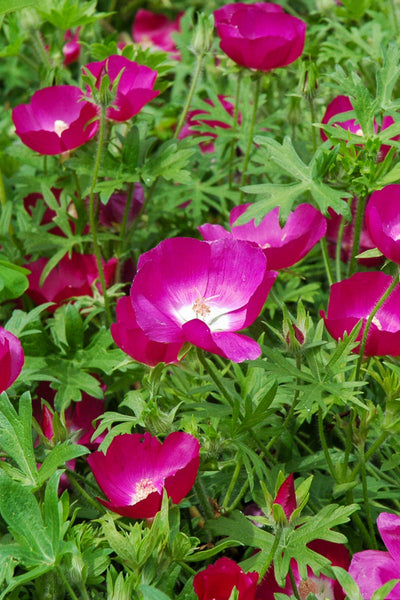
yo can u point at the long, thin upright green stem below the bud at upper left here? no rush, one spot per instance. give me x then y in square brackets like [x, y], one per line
[92, 213]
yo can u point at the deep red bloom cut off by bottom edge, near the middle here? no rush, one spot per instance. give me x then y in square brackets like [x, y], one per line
[217, 581]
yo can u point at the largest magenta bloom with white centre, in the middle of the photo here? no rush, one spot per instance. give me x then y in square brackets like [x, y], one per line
[187, 290]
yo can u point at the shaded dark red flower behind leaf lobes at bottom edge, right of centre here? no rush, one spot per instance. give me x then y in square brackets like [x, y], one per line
[321, 586]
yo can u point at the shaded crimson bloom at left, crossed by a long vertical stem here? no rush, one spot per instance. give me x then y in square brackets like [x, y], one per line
[72, 276]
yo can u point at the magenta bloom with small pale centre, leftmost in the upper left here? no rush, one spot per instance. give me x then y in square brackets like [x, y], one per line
[56, 120]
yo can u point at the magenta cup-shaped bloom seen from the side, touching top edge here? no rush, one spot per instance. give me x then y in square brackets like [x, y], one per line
[259, 36]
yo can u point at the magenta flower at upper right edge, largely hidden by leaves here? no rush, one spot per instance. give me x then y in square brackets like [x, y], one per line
[342, 104]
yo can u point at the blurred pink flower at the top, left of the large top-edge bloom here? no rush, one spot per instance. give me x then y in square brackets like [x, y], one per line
[151, 29]
